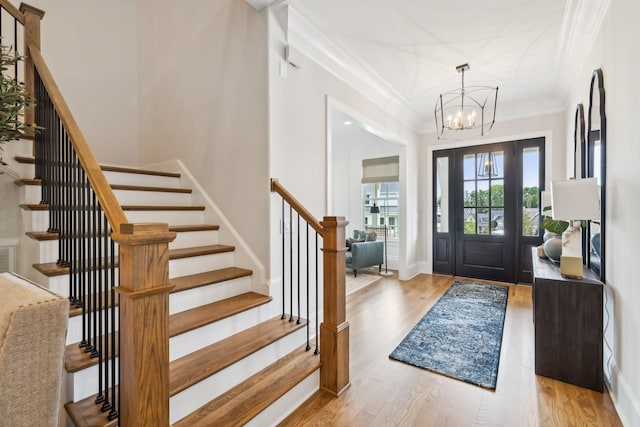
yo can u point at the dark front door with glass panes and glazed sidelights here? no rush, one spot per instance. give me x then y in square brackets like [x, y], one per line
[486, 209]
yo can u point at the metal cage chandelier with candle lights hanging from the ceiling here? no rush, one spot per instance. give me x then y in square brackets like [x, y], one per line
[467, 108]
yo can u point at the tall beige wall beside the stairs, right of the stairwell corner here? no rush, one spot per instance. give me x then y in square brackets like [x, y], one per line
[203, 100]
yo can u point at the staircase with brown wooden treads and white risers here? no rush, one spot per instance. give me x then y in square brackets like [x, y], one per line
[233, 360]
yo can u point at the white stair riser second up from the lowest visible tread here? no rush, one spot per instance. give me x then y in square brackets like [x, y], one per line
[191, 341]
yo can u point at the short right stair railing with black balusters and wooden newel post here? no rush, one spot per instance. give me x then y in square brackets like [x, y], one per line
[333, 332]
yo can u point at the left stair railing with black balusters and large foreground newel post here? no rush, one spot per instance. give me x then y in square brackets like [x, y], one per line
[123, 289]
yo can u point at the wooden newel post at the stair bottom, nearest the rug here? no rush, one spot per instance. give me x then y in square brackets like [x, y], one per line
[334, 330]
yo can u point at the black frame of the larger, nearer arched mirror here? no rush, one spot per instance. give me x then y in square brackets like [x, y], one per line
[597, 77]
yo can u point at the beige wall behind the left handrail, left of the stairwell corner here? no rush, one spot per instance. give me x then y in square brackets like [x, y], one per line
[91, 49]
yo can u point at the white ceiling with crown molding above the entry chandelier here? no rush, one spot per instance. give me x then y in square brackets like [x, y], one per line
[403, 53]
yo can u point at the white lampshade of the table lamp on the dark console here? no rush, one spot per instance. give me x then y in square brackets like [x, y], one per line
[575, 199]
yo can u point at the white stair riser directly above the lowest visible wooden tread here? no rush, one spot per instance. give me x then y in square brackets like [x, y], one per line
[202, 392]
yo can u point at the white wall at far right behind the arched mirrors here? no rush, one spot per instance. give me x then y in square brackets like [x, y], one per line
[613, 52]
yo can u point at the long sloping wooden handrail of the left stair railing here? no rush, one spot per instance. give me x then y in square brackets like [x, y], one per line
[107, 198]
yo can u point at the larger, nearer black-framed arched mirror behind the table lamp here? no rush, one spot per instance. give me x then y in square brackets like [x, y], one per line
[596, 167]
